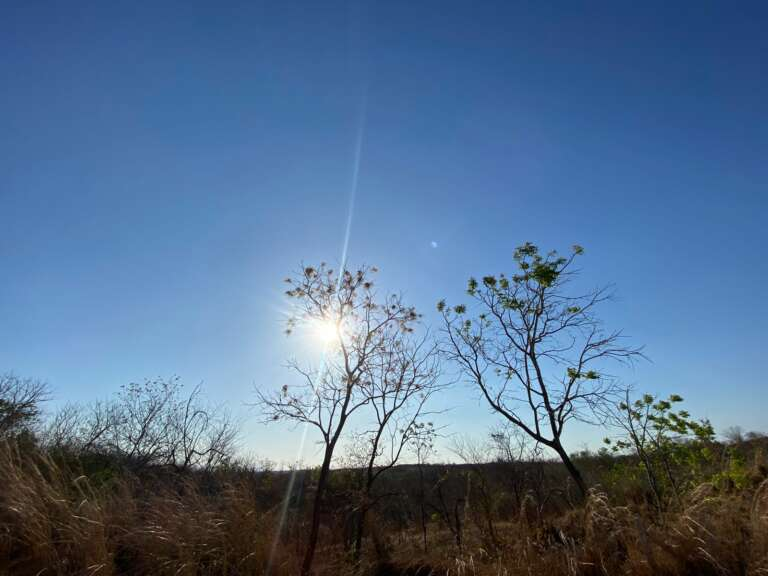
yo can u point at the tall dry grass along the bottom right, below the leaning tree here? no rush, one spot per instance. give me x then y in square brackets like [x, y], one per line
[718, 533]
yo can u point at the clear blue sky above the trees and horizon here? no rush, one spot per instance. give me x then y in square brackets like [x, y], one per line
[163, 166]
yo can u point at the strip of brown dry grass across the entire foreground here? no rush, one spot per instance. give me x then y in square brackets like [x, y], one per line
[56, 521]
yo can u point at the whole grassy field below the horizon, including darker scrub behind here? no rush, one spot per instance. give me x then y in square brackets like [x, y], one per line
[84, 514]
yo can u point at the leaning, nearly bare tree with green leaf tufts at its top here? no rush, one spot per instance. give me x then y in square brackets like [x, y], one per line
[531, 349]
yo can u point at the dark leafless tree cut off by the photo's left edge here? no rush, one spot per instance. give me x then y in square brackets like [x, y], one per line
[20, 403]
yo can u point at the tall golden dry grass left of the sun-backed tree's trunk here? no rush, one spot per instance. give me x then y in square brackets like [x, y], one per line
[54, 521]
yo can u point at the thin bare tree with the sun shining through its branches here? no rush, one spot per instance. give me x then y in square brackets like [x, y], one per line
[343, 306]
